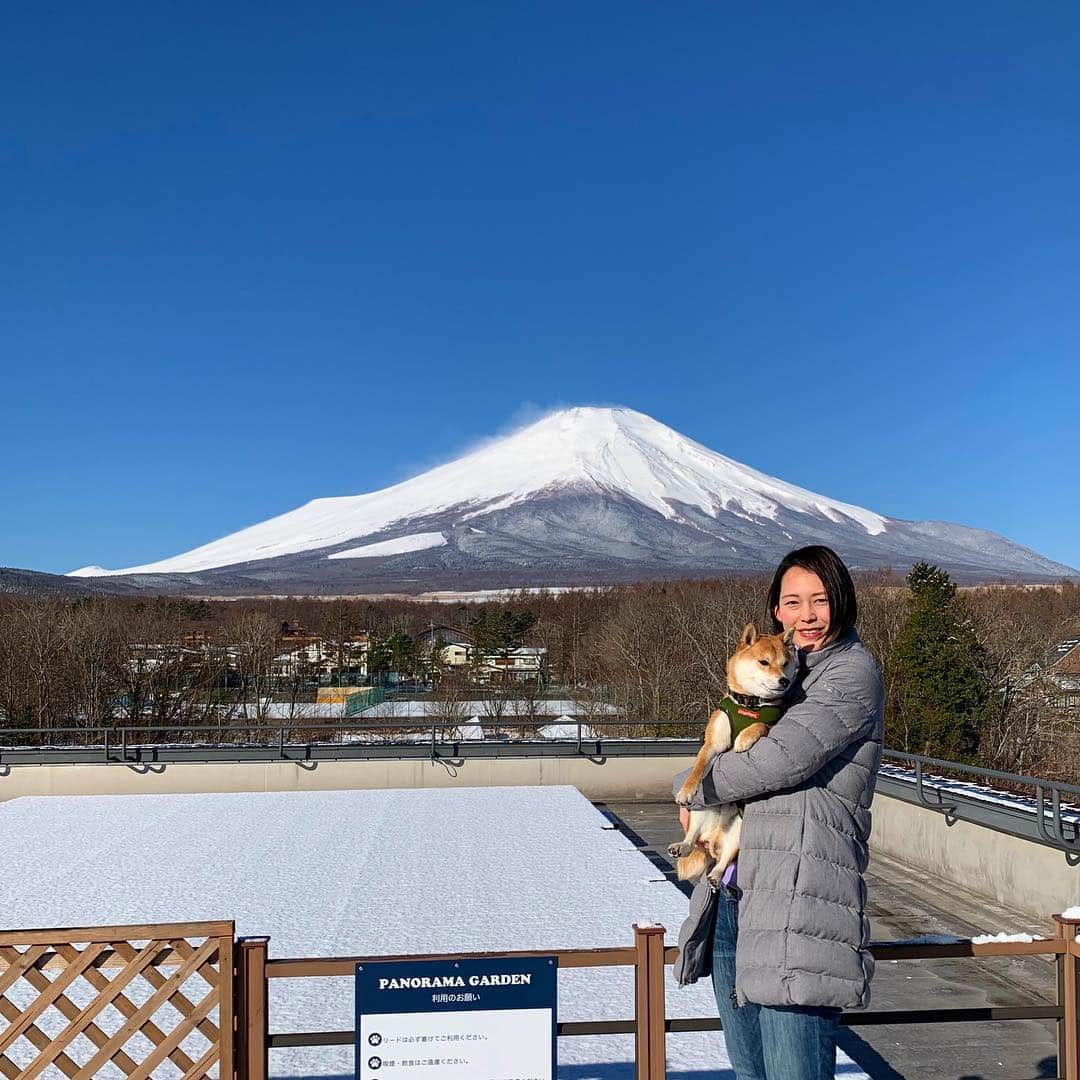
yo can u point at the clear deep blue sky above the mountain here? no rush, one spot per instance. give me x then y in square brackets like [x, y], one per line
[255, 254]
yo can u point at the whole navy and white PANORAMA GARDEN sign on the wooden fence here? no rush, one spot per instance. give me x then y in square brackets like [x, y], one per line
[457, 1020]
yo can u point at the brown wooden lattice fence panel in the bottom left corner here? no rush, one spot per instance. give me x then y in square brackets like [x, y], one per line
[118, 1002]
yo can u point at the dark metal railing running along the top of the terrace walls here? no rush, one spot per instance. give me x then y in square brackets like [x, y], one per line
[1031, 808]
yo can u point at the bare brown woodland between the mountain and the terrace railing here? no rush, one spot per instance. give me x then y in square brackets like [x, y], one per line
[655, 652]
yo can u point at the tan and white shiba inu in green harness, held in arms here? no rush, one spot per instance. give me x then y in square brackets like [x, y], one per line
[760, 672]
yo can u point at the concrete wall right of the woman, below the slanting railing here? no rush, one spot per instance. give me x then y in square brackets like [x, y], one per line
[1019, 874]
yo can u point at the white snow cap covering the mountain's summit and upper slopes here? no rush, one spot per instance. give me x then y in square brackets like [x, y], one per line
[606, 451]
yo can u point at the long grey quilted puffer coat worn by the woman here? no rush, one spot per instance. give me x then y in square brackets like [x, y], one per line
[807, 788]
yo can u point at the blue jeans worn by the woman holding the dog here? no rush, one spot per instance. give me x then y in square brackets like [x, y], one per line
[768, 1043]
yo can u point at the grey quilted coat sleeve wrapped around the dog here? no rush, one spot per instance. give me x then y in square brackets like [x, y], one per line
[844, 706]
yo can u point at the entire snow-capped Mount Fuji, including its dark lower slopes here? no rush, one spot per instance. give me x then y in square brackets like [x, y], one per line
[585, 496]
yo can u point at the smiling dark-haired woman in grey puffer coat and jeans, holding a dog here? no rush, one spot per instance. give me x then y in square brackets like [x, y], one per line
[787, 942]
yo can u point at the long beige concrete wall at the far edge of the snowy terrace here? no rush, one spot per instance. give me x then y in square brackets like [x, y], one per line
[646, 779]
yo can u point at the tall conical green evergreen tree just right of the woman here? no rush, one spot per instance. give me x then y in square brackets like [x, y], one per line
[939, 691]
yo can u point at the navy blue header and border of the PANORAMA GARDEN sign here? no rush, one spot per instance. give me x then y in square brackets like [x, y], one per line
[542, 993]
